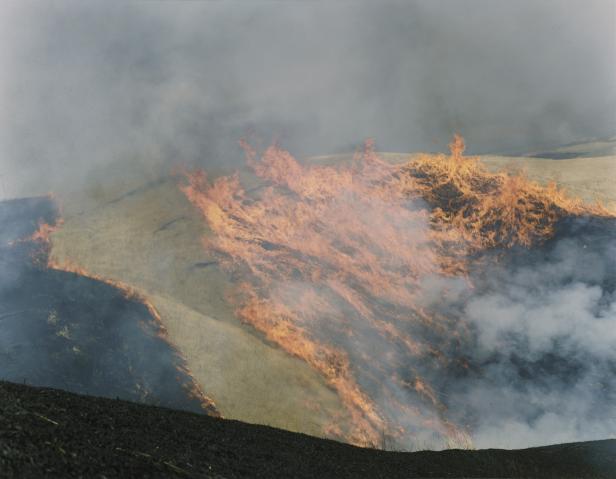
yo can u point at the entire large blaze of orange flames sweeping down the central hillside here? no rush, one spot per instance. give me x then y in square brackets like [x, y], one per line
[332, 258]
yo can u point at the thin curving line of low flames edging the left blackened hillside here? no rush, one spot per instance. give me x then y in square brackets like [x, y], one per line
[43, 236]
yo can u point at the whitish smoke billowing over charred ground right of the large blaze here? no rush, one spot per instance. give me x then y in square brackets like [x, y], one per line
[544, 322]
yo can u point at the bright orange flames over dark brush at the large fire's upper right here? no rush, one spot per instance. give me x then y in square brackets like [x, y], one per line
[491, 210]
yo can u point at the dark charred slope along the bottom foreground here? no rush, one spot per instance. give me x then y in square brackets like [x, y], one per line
[52, 433]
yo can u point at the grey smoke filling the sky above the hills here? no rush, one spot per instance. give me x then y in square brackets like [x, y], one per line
[93, 87]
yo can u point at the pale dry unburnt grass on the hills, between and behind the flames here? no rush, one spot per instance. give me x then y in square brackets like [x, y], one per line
[142, 231]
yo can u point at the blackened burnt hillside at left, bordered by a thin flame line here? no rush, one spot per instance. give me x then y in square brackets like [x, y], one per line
[64, 330]
